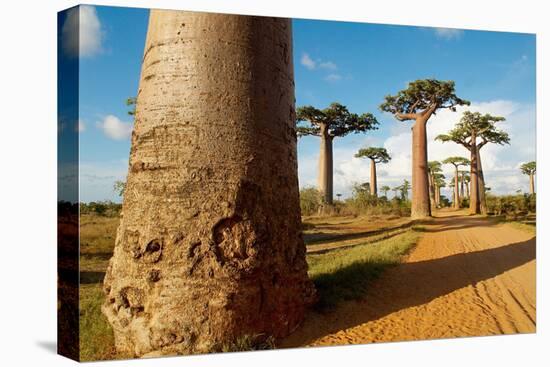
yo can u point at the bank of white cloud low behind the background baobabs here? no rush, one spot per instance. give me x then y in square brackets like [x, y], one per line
[500, 163]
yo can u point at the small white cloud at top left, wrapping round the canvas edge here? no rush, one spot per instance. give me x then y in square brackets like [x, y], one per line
[82, 32]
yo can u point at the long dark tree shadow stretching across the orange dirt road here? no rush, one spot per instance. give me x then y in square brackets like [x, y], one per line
[416, 283]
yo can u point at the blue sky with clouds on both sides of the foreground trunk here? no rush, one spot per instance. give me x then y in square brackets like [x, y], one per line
[355, 64]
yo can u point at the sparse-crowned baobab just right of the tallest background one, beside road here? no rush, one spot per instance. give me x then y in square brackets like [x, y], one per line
[473, 132]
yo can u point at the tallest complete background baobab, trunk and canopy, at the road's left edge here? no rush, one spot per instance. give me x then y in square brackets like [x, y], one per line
[420, 101]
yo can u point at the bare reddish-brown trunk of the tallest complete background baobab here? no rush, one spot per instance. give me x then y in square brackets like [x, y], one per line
[420, 205]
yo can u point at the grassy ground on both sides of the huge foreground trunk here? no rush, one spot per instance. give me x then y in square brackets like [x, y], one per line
[341, 274]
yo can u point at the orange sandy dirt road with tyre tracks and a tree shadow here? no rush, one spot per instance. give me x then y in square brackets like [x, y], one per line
[467, 276]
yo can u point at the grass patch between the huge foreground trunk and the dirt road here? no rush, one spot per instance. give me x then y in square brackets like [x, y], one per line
[345, 274]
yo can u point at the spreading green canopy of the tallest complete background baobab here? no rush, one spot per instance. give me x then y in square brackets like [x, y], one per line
[422, 96]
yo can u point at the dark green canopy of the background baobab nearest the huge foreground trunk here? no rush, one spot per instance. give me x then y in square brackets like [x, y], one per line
[336, 118]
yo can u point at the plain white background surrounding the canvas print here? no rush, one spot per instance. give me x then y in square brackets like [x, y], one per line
[28, 181]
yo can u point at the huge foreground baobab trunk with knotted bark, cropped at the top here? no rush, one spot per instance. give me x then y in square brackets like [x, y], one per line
[209, 246]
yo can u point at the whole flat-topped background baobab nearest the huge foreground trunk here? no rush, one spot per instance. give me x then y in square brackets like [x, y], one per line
[329, 123]
